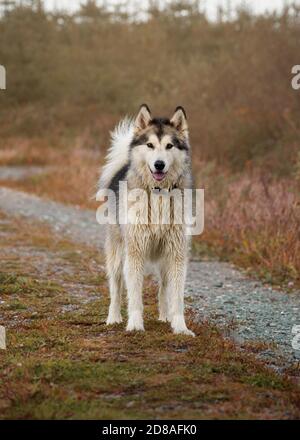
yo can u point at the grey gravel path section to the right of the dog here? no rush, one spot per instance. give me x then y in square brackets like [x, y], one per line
[246, 309]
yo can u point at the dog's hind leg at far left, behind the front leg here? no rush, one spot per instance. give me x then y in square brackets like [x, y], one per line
[116, 282]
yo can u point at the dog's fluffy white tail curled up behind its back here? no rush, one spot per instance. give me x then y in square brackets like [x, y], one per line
[118, 154]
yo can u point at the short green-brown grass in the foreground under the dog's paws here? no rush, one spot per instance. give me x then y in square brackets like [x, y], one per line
[63, 362]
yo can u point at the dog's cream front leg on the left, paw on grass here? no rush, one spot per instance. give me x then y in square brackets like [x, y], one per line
[134, 275]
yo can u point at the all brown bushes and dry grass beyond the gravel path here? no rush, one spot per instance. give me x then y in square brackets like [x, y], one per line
[242, 111]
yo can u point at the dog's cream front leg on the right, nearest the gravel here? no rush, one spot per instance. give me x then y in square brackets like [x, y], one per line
[177, 275]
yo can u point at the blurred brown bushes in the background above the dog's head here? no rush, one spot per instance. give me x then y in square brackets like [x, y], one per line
[66, 73]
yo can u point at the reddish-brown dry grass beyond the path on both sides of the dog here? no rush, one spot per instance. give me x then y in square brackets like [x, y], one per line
[250, 219]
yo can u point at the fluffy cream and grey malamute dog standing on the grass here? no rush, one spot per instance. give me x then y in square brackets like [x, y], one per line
[154, 155]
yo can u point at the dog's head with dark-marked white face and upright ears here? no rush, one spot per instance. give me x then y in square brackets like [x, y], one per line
[160, 147]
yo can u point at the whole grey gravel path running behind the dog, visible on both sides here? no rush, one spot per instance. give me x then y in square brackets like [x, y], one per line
[245, 309]
